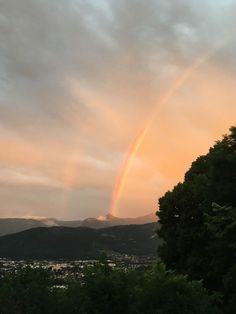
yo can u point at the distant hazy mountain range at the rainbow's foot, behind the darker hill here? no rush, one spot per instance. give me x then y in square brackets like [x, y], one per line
[14, 225]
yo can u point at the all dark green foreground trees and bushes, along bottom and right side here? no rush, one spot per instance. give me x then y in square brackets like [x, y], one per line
[197, 272]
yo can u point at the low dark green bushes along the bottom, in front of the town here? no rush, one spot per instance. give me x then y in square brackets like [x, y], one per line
[105, 290]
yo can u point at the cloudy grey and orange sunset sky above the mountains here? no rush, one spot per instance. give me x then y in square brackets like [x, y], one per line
[80, 79]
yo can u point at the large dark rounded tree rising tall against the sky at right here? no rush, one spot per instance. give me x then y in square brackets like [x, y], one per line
[198, 235]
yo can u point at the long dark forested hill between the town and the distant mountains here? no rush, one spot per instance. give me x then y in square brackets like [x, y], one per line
[81, 242]
